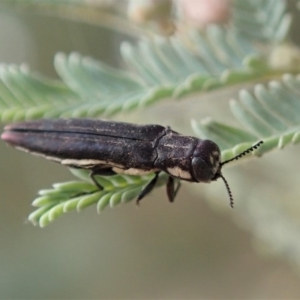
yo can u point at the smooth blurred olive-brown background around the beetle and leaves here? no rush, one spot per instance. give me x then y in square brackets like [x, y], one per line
[192, 249]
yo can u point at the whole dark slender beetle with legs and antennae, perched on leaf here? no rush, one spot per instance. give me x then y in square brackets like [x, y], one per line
[107, 148]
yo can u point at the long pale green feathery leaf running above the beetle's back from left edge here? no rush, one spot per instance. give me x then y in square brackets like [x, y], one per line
[162, 69]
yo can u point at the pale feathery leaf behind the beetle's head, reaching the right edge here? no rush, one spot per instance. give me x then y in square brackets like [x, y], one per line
[269, 114]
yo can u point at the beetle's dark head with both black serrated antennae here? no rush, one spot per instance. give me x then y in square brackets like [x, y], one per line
[207, 165]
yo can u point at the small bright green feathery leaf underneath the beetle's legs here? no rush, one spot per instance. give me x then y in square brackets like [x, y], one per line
[77, 195]
